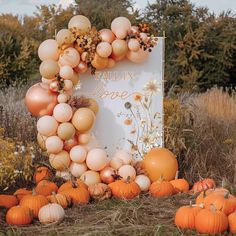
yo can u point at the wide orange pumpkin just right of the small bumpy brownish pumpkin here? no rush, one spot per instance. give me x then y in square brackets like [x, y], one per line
[125, 189]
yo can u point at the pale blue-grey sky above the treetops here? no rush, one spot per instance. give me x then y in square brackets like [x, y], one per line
[29, 6]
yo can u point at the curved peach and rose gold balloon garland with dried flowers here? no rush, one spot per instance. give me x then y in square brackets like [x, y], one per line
[64, 121]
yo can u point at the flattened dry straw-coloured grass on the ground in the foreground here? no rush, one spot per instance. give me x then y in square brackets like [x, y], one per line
[141, 216]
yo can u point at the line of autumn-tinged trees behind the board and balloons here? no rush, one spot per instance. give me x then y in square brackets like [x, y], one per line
[200, 46]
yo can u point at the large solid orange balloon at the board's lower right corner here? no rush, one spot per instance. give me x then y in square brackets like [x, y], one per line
[160, 162]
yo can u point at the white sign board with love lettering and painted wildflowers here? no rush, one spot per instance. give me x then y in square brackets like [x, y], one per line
[130, 97]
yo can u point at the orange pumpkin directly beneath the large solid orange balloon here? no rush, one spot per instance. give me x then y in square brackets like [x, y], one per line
[161, 188]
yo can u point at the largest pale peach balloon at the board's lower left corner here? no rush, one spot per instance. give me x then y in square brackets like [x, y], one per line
[96, 159]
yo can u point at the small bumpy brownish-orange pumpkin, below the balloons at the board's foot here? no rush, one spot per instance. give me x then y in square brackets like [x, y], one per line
[99, 191]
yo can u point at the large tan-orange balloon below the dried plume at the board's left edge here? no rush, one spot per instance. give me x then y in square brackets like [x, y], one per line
[83, 119]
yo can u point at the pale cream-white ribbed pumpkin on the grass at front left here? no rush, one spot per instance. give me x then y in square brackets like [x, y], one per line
[51, 213]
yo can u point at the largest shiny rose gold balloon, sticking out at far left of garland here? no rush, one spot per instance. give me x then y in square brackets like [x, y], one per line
[40, 100]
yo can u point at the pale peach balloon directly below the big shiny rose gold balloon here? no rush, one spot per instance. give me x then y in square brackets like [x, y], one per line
[47, 125]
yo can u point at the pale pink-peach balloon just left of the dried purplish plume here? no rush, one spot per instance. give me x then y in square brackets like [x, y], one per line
[62, 112]
